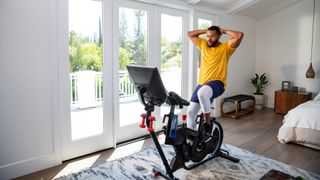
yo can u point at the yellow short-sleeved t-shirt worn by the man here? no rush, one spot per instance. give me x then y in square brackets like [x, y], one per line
[214, 61]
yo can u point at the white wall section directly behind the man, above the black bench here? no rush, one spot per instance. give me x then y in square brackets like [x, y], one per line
[242, 62]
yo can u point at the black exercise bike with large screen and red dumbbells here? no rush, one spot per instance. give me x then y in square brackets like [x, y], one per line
[192, 148]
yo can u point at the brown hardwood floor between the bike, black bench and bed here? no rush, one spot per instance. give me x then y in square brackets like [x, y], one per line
[258, 134]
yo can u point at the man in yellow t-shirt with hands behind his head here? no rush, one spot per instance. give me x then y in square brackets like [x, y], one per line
[213, 70]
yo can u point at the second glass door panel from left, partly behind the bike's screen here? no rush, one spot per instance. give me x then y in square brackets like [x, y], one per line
[133, 50]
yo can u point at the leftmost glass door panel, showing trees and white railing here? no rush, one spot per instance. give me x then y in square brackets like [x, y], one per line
[85, 62]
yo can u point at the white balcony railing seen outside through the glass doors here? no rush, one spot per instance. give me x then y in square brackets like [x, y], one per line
[87, 87]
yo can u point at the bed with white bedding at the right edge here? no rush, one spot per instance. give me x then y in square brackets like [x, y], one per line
[301, 125]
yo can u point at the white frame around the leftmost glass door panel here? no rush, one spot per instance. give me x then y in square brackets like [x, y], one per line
[64, 131]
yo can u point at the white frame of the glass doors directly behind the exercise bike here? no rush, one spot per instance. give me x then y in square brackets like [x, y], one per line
[154, 51]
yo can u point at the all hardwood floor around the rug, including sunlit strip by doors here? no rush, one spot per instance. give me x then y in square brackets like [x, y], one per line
[256, 132]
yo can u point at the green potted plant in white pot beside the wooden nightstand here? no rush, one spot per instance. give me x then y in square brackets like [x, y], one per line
[259, 82]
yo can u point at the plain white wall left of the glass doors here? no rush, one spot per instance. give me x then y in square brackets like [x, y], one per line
[26, 130]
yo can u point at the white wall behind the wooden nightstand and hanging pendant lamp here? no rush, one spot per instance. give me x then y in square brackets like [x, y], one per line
[283, 48]
